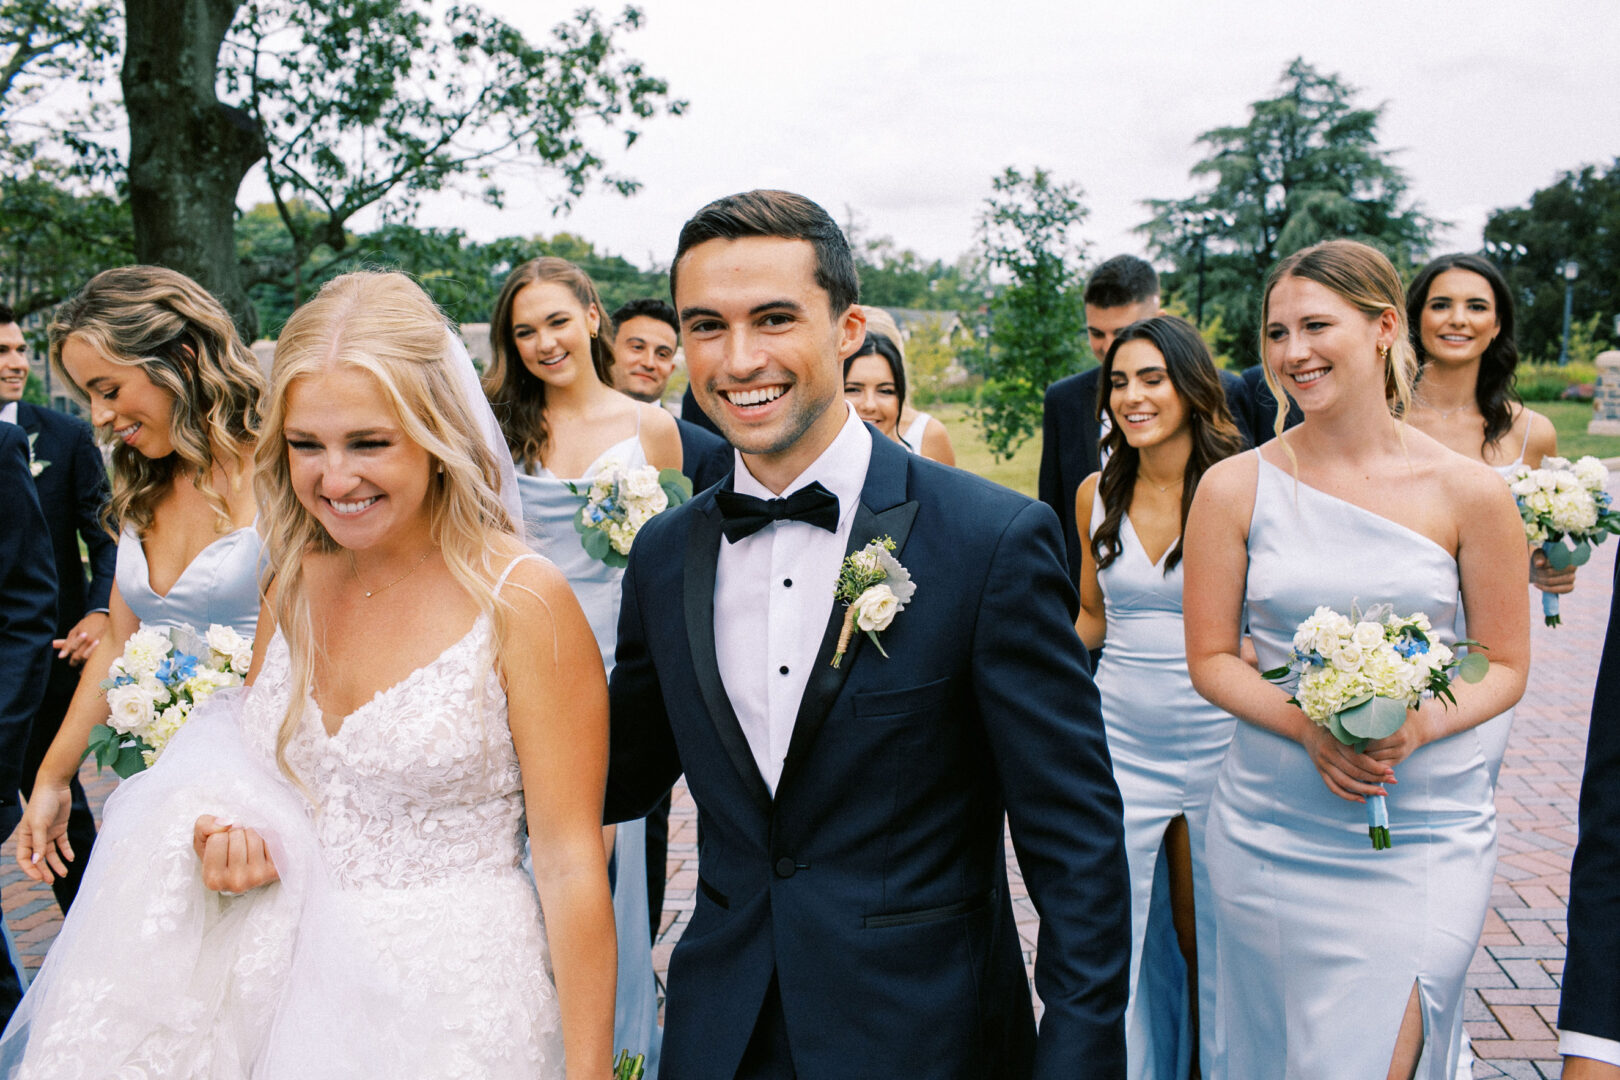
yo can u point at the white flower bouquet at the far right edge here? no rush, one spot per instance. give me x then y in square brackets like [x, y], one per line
[1559, 503]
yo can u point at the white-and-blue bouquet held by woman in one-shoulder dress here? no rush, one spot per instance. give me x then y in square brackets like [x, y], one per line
[1358, 674]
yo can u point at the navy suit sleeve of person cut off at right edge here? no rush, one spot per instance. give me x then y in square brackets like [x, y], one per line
[1592, 992]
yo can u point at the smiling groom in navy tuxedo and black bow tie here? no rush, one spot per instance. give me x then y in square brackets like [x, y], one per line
[853, 912]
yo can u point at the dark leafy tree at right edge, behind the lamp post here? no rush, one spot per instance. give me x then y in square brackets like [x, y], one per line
[1575, 219]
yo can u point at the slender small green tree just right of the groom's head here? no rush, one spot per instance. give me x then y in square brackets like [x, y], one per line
[1036, 331]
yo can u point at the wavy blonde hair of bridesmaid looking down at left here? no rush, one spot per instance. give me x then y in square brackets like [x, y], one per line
[184, 341]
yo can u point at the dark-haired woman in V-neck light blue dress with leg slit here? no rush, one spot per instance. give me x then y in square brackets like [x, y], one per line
[1169, 423]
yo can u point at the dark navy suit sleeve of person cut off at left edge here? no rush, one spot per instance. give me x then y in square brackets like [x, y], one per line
[28, 613]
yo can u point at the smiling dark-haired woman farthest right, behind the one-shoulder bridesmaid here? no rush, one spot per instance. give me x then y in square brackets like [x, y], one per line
[1460, 313]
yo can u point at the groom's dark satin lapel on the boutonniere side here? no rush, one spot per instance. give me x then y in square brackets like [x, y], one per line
[885, 488]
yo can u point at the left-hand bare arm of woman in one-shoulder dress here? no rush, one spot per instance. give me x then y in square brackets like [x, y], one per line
[1216, 559]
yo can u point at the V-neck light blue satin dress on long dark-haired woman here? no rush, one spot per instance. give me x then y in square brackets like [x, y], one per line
[1167, 747]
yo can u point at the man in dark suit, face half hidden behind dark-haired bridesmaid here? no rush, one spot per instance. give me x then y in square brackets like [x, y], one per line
[1120, 292]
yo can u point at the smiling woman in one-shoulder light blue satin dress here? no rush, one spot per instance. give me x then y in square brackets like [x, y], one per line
[1336, 959]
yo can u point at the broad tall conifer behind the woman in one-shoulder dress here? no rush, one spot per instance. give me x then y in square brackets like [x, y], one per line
[1305, 166]
